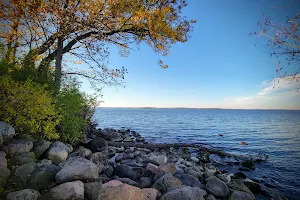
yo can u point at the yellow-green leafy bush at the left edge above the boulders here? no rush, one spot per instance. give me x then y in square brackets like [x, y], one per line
[28, 107]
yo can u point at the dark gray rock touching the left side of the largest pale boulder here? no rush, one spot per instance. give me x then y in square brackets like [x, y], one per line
[43, 176]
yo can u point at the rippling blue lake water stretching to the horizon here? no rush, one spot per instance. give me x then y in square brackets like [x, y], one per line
[274, 132]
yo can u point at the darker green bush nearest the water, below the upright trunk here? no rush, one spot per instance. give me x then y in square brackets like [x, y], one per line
[76, 110]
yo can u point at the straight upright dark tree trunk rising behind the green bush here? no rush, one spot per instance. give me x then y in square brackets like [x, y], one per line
[58, 65]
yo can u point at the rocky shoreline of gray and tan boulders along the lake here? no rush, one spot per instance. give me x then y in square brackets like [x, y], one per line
[102, 168]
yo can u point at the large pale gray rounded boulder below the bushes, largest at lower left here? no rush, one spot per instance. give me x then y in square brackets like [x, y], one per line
[77, 168]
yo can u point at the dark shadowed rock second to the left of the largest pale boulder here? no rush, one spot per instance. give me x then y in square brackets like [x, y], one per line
[21, 175]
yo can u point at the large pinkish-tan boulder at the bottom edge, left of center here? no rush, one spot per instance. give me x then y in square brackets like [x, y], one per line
[121, 192]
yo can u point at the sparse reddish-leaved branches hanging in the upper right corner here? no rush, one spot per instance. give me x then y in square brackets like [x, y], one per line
[281, 38]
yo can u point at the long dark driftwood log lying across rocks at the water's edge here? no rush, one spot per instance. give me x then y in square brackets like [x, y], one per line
[174, 145]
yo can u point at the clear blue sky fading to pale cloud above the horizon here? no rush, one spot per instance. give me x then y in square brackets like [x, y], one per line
[219, 67]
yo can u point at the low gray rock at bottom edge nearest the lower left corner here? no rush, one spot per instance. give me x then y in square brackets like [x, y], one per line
[26, 194]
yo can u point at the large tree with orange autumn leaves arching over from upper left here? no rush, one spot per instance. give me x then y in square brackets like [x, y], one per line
[86, 29]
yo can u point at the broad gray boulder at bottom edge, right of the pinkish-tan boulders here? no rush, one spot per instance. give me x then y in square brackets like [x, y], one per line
[186, 192]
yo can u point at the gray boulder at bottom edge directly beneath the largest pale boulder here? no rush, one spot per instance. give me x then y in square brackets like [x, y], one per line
[66, 191]
